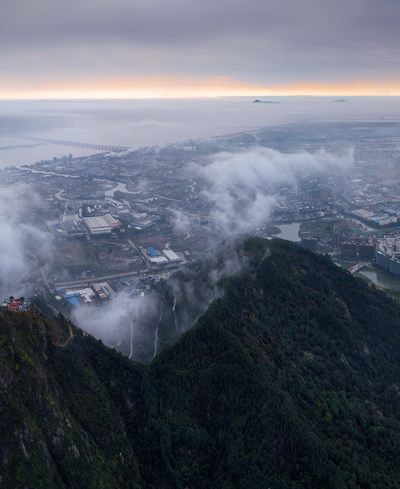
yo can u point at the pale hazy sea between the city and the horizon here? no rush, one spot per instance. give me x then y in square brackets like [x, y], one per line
[139, 123]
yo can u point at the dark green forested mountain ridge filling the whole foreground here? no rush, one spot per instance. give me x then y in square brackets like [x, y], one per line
[290, 379]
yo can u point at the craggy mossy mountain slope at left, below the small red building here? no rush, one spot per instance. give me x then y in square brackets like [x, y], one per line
[58, 427]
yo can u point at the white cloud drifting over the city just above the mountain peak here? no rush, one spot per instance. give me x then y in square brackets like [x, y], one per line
[244, 186]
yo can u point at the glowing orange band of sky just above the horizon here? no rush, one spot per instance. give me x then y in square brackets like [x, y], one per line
[171, 87]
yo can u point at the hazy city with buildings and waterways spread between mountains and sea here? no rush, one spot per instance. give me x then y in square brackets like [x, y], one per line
[125, 219]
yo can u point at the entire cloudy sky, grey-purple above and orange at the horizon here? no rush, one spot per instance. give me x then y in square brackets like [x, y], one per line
[192, 48]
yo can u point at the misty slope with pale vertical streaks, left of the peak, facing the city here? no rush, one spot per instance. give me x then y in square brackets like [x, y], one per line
[173, 306]
